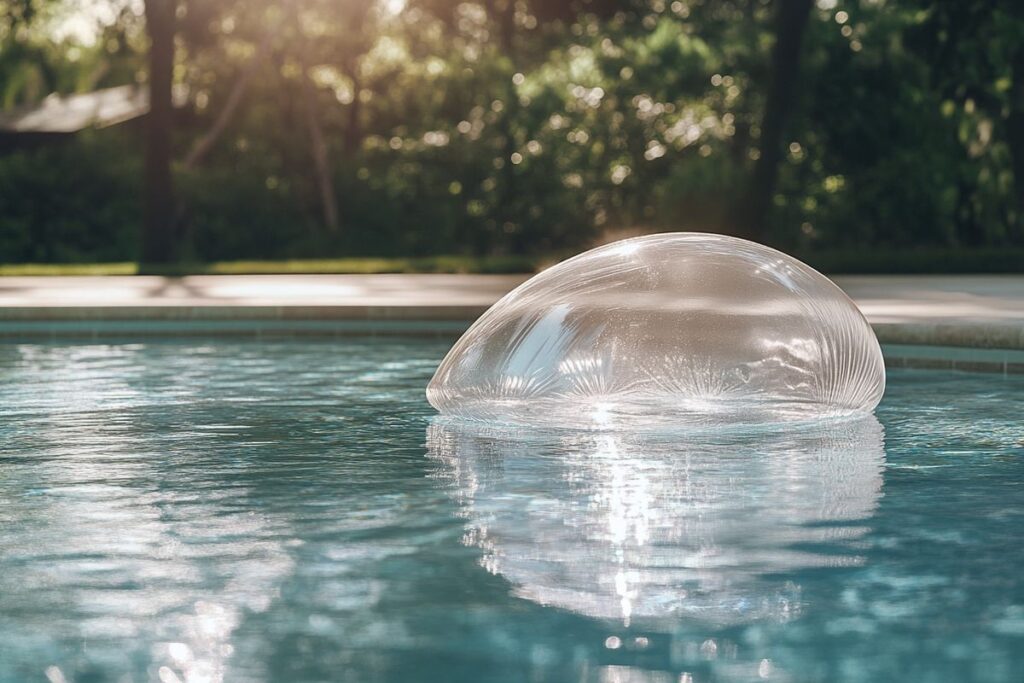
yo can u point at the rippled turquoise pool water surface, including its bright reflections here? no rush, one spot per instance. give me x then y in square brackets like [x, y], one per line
[291, 511]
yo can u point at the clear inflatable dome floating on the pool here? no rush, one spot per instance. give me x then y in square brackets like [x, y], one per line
[673, 329]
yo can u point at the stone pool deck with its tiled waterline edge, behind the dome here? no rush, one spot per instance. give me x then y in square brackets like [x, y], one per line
[950, 321]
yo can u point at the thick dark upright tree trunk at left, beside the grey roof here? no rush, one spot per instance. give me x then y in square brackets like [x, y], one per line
[158, 227]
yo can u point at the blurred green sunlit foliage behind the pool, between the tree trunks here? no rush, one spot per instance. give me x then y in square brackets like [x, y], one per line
[523, 129]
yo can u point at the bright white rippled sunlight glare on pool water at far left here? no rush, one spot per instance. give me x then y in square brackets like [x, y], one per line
[107, 539]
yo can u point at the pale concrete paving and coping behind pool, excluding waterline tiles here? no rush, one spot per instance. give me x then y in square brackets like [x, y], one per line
[952, 311]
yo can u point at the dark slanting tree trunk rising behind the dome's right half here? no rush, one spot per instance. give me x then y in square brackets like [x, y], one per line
[752, 216]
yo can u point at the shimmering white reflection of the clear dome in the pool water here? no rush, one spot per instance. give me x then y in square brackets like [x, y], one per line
[616, 527]
